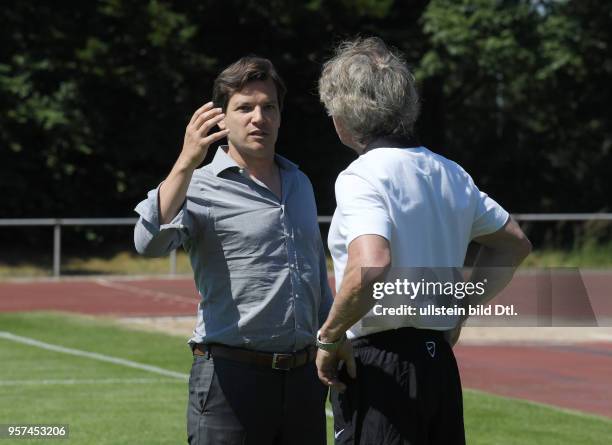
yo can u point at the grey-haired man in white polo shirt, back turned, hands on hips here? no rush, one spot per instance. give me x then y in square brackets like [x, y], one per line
[399, 205]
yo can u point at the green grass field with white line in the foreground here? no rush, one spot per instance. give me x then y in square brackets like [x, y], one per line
[107, 403]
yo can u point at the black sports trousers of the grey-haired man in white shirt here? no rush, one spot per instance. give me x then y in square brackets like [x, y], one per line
[407, 392]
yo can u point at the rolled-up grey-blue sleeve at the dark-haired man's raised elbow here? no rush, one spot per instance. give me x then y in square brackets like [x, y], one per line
[154, 239]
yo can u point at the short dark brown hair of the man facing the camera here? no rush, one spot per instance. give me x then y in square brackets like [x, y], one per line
[247, 69]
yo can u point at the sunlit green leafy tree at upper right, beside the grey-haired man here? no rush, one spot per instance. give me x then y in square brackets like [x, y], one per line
[519, 90]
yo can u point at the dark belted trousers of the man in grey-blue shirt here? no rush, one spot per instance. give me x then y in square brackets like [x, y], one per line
[235, 403]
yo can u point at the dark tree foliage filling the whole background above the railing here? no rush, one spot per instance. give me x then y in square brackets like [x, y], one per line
[94, 96]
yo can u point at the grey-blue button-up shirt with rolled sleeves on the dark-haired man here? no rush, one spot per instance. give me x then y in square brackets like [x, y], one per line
[258, 263]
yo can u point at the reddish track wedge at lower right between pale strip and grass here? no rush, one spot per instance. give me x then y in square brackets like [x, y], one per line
[575, 376]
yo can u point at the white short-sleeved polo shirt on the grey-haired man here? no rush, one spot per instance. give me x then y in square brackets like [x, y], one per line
[427, 206]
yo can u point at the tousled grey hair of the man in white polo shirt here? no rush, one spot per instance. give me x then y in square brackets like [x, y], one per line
[370, 89]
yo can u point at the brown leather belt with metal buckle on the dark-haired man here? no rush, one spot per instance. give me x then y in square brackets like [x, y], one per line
[283, 362]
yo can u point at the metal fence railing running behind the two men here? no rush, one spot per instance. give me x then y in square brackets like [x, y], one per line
[58, 223]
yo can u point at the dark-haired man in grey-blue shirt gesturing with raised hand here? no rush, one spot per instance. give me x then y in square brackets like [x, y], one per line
[249, 222]
